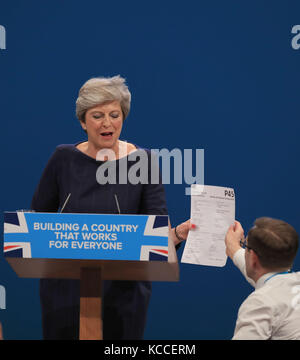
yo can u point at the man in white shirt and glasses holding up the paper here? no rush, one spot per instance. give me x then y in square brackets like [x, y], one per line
[265, 258]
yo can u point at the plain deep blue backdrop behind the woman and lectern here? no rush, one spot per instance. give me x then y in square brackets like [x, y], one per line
[218, 75]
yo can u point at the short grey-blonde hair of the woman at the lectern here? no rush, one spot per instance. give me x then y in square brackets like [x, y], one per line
[99, 90]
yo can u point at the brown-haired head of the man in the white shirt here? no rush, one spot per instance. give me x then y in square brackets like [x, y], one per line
[275, 242]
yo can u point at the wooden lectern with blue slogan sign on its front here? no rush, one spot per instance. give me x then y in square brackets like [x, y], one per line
[92, 248]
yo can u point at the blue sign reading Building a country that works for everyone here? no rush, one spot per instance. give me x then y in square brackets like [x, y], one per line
[85, 236]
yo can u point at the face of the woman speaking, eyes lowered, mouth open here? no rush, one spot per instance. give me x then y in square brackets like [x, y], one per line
[103, 124]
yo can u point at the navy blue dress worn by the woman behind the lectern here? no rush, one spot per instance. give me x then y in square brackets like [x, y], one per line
[125, 303]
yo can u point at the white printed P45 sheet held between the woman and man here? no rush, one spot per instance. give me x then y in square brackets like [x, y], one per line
[212, 211]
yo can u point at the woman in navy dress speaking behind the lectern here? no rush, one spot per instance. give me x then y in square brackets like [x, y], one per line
[69, 183]
